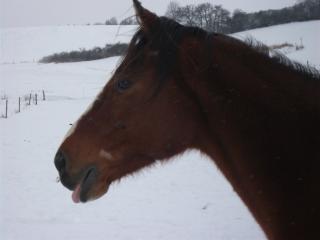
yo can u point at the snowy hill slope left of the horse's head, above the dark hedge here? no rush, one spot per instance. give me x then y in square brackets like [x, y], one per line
[31, 44]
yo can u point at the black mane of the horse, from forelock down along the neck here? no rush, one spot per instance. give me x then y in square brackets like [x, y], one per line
[166, 37]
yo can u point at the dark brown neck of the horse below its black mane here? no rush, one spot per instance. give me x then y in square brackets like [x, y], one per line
[252, 110]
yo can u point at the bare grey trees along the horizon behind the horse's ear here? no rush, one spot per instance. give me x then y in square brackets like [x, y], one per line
[215, 18]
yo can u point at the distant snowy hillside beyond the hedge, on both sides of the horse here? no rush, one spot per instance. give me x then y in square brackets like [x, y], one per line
[31, 44]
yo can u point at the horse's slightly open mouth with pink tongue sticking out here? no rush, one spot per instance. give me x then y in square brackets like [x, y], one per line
[82, 189]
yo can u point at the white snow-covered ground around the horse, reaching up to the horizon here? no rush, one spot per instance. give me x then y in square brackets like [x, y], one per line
[186, 198]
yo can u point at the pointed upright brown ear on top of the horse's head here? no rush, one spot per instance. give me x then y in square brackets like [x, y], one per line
[146, 19]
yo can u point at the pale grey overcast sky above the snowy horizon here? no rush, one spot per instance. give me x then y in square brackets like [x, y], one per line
[20, 13]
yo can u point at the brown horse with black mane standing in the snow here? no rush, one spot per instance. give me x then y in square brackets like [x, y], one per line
[255, 113]
